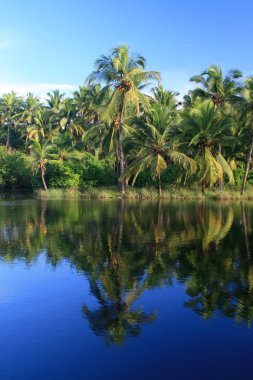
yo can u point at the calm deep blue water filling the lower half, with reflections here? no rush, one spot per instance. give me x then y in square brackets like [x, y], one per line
[125, 290]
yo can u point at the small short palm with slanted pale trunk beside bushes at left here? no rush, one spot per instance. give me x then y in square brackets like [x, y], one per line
[41, 153]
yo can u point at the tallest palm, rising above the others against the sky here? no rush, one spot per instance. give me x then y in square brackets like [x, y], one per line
[124, 74]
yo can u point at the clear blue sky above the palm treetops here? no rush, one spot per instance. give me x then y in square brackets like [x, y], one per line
[53, 43]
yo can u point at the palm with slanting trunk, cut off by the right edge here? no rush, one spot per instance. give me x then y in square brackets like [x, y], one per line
[247, 94]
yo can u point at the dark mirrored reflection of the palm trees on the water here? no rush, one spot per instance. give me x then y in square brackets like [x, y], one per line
[126, 248]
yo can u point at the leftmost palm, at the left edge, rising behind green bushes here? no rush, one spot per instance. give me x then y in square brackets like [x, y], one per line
[10, 107]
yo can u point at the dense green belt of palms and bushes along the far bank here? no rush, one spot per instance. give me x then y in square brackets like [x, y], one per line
[111, 132]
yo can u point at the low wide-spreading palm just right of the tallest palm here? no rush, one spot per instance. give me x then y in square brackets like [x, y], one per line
[153, 147]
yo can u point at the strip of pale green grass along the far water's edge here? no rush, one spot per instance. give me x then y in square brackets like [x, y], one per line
[144, 193]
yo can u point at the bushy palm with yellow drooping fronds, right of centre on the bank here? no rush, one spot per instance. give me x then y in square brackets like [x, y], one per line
[204, 129]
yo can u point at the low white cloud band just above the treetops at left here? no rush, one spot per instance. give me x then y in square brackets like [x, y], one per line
[39, 89]
